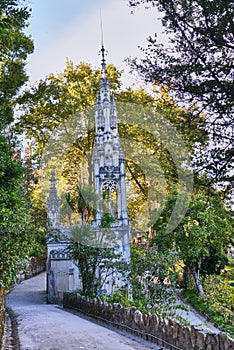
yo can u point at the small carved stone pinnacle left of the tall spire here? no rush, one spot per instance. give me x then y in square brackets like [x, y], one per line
[53, 204]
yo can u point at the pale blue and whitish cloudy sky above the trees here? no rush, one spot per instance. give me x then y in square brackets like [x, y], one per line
[70, 29]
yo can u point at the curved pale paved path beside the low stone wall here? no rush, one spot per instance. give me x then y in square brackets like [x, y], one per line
[49, 327]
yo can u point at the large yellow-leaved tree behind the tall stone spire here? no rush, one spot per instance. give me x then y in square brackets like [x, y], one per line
[59, 119]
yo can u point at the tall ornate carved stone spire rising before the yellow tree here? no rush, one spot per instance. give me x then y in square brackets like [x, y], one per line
[109, 162]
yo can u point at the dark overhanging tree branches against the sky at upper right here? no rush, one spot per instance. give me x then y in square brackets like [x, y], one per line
[197, 65]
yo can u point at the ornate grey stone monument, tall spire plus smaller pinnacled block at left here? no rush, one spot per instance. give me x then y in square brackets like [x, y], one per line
[109, 183]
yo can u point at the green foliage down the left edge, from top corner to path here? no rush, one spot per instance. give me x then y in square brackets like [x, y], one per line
[19, 231]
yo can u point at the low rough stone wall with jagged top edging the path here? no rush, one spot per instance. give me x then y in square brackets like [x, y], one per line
[163, 332]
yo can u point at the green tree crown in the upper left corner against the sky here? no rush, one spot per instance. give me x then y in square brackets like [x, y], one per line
[14, 48]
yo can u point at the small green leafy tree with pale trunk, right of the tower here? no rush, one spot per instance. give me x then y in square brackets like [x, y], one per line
[202, 237]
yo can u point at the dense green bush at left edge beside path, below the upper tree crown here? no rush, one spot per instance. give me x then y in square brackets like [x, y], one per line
[21, 233]
